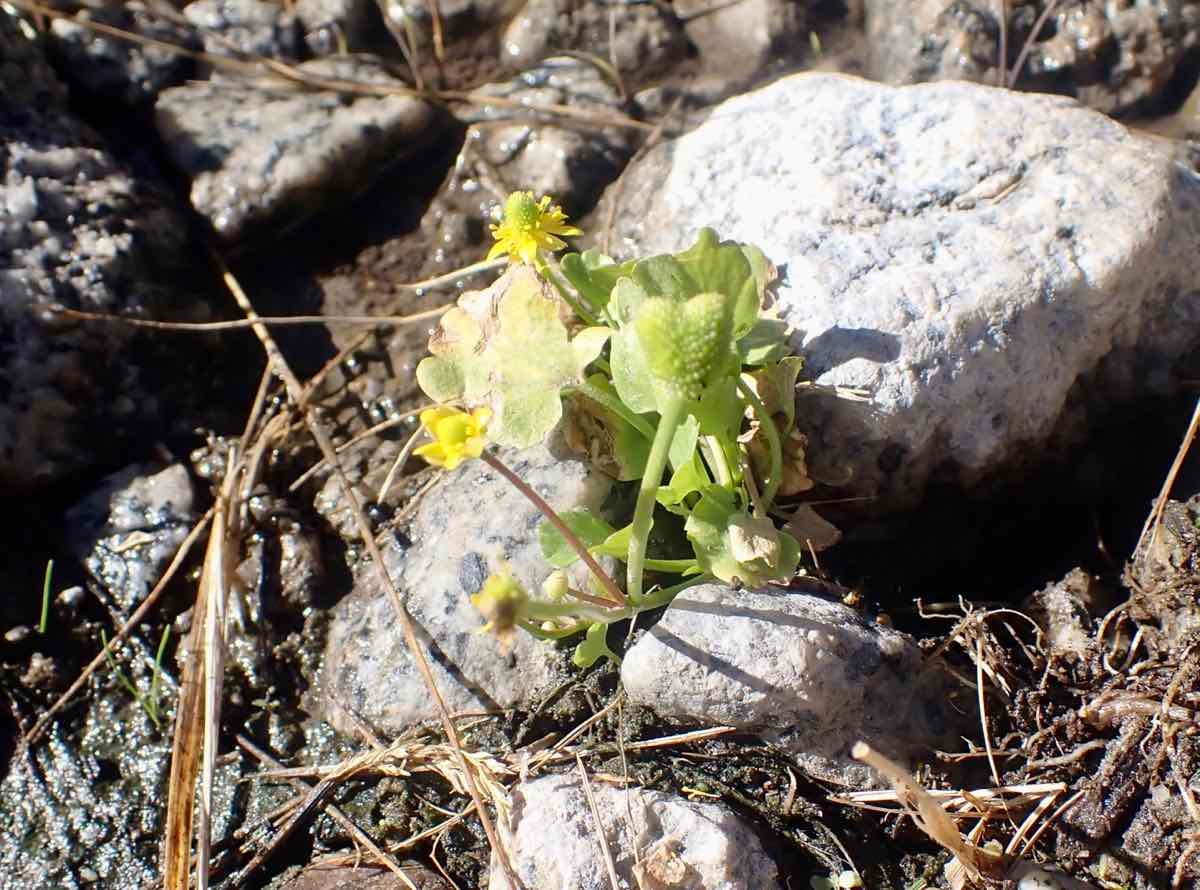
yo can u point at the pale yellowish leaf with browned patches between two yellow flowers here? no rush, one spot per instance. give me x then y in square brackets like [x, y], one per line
[508, 347]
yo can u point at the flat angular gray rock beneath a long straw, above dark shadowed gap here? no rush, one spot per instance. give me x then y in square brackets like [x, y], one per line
[263, 155]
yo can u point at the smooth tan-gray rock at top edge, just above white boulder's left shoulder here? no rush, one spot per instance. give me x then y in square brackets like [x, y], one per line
[739, 41]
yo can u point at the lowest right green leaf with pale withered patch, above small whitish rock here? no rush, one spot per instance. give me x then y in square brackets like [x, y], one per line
[735, 548]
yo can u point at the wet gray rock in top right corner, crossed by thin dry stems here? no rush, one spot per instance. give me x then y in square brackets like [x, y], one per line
[1117, 58]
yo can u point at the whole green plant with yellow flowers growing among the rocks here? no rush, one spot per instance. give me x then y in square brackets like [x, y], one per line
[669, 372]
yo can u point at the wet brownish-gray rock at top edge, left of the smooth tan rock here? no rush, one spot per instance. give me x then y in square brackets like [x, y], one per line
[647, 40]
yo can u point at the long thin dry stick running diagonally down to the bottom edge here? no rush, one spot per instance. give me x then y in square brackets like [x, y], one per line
[416, 650]
